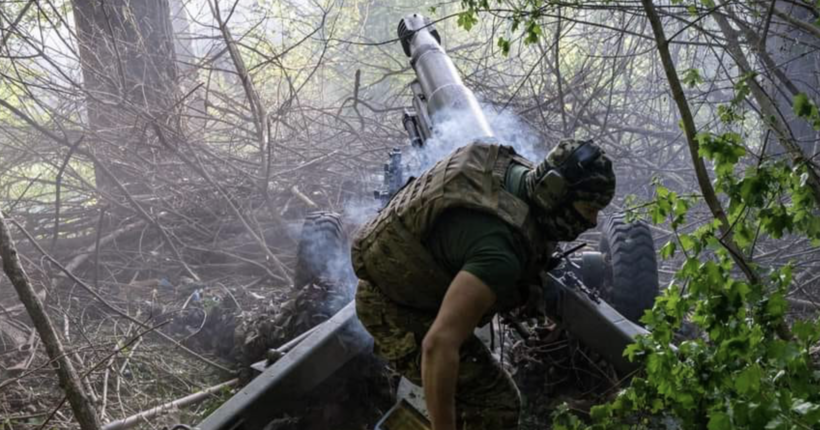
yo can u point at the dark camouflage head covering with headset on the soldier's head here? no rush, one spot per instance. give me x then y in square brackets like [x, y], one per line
[581, 172]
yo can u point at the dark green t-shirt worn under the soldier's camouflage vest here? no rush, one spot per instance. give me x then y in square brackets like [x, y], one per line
[482, 244]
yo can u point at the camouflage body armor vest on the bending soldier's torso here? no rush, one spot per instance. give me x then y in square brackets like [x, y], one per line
[388, 251]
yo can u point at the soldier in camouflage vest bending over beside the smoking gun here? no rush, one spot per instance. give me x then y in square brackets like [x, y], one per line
[460, 243]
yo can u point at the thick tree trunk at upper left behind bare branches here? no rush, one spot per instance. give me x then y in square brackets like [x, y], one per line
[130, 77]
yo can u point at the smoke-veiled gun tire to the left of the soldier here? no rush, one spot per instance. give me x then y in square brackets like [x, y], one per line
[323, 251]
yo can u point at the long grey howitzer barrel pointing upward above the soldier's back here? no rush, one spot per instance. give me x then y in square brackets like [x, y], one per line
[445, 96]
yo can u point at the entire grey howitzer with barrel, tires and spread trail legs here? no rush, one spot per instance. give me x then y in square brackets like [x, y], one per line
[623, 271]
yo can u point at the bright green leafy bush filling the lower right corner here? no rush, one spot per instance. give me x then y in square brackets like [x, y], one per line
[738, 373]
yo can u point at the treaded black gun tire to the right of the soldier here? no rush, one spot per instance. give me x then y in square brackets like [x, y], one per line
[632, 277]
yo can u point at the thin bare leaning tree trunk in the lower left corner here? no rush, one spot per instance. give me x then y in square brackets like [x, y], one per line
[83, 409]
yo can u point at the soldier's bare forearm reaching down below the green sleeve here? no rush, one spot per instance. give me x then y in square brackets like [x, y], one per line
[466, 301]
